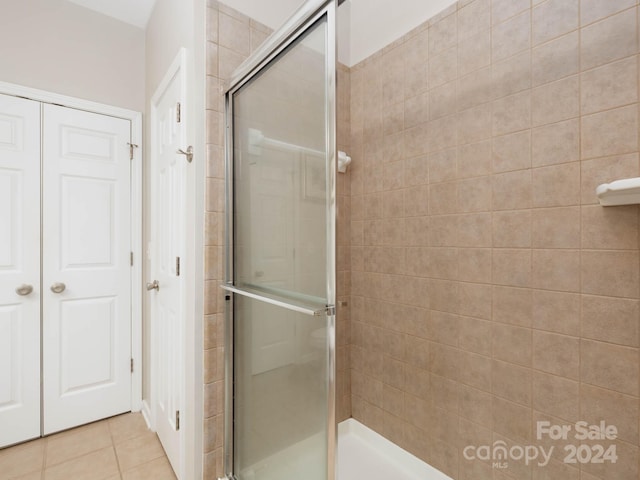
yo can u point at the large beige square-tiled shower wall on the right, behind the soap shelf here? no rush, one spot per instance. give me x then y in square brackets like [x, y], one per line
[489, 289]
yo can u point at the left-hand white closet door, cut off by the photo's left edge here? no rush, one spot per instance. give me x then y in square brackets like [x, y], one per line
[19, 266]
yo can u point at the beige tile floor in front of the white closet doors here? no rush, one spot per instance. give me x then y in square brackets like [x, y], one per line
[118, 448]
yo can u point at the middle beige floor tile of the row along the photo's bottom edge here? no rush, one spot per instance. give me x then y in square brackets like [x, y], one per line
[99, 465]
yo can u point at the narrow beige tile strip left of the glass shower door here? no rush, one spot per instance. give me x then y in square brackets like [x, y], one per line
[231, 37]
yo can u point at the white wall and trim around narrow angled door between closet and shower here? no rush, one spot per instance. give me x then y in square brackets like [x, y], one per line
[176, 24]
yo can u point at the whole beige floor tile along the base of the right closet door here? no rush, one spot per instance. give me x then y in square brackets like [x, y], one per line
[77, 442]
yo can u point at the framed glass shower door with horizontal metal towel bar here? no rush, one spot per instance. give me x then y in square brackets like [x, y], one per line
[280, 284]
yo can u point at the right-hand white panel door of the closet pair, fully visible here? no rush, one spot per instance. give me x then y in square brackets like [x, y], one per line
[86, 267]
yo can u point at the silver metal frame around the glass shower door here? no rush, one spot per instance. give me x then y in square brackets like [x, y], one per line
[297, 25]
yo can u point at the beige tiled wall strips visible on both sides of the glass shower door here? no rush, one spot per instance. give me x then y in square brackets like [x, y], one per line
[231, 37]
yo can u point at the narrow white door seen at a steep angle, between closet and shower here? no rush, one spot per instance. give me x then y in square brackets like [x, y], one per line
[167, 216]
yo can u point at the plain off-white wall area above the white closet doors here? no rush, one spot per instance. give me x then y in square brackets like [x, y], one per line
[60, 47]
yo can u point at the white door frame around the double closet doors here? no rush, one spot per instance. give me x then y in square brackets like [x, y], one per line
[136, 209]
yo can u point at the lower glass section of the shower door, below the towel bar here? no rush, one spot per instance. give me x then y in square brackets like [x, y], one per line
[281, 413]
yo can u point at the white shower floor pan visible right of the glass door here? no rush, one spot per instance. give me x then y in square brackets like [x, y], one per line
[362, 453]
